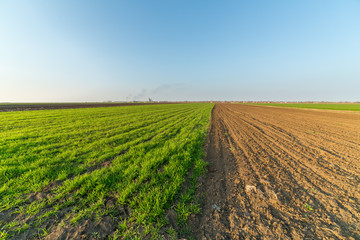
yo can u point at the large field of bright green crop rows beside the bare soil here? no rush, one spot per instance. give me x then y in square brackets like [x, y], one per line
[133, 164]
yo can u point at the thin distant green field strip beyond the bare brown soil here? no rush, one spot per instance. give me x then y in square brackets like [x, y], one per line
[328, 106]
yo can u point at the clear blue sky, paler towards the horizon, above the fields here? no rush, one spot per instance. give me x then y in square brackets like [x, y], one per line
[61, 51]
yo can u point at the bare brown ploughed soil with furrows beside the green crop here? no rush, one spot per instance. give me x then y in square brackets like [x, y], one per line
[280, 173]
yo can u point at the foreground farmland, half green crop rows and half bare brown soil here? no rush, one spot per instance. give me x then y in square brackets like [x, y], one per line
[196, 170]
